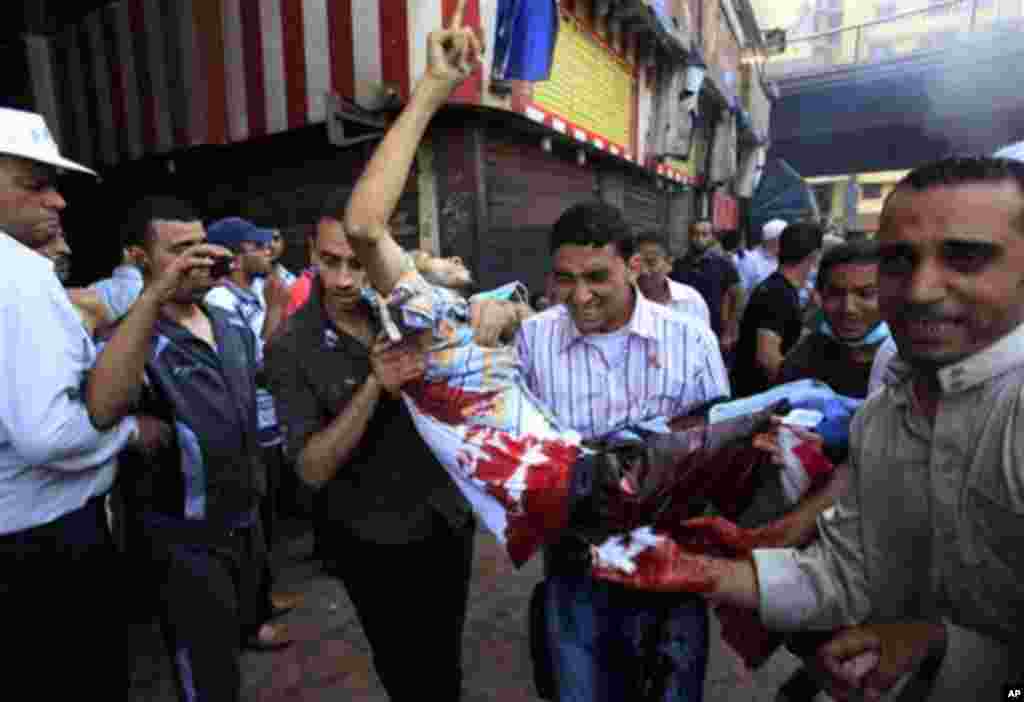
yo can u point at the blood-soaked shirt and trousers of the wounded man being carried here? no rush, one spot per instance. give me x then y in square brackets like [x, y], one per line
[526, 475]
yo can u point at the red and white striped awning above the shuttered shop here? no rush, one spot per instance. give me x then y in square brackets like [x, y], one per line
[143, 77]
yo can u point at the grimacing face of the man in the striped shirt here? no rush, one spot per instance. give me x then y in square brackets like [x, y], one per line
[594, 284]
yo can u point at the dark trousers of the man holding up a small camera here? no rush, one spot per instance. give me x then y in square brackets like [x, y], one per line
[212, 595]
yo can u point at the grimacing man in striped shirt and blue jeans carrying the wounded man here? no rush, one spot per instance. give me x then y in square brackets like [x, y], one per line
[606, 360]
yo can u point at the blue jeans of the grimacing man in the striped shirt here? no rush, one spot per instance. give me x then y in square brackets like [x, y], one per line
[612, 644]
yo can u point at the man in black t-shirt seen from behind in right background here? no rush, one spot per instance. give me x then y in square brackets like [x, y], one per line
[774, 322]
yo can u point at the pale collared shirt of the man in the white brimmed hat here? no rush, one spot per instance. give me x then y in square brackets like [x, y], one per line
[53, 461]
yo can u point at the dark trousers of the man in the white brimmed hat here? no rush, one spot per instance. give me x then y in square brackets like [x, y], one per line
[61, 590]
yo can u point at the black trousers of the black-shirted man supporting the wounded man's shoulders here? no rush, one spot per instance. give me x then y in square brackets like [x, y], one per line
[411, 600]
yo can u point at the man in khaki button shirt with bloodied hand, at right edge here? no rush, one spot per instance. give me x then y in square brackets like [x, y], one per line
[921, 557]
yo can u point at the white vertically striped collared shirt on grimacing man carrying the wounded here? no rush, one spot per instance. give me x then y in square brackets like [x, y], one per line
[672, 364]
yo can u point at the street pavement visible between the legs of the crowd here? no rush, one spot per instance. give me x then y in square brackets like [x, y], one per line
[332, 662]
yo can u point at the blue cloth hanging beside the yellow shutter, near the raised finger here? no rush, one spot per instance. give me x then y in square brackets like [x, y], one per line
[526, 34]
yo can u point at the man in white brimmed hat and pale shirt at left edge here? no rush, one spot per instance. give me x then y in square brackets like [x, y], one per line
[61, 580]
